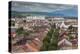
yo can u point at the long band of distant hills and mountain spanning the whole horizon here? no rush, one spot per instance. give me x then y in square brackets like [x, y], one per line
[57, 13]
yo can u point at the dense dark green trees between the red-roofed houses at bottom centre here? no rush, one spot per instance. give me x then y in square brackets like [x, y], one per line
[50, 42]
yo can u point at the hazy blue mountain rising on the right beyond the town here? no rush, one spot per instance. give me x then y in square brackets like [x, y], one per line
[67, 13]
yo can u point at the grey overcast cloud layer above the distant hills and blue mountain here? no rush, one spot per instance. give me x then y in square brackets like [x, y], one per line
[41, 7]
